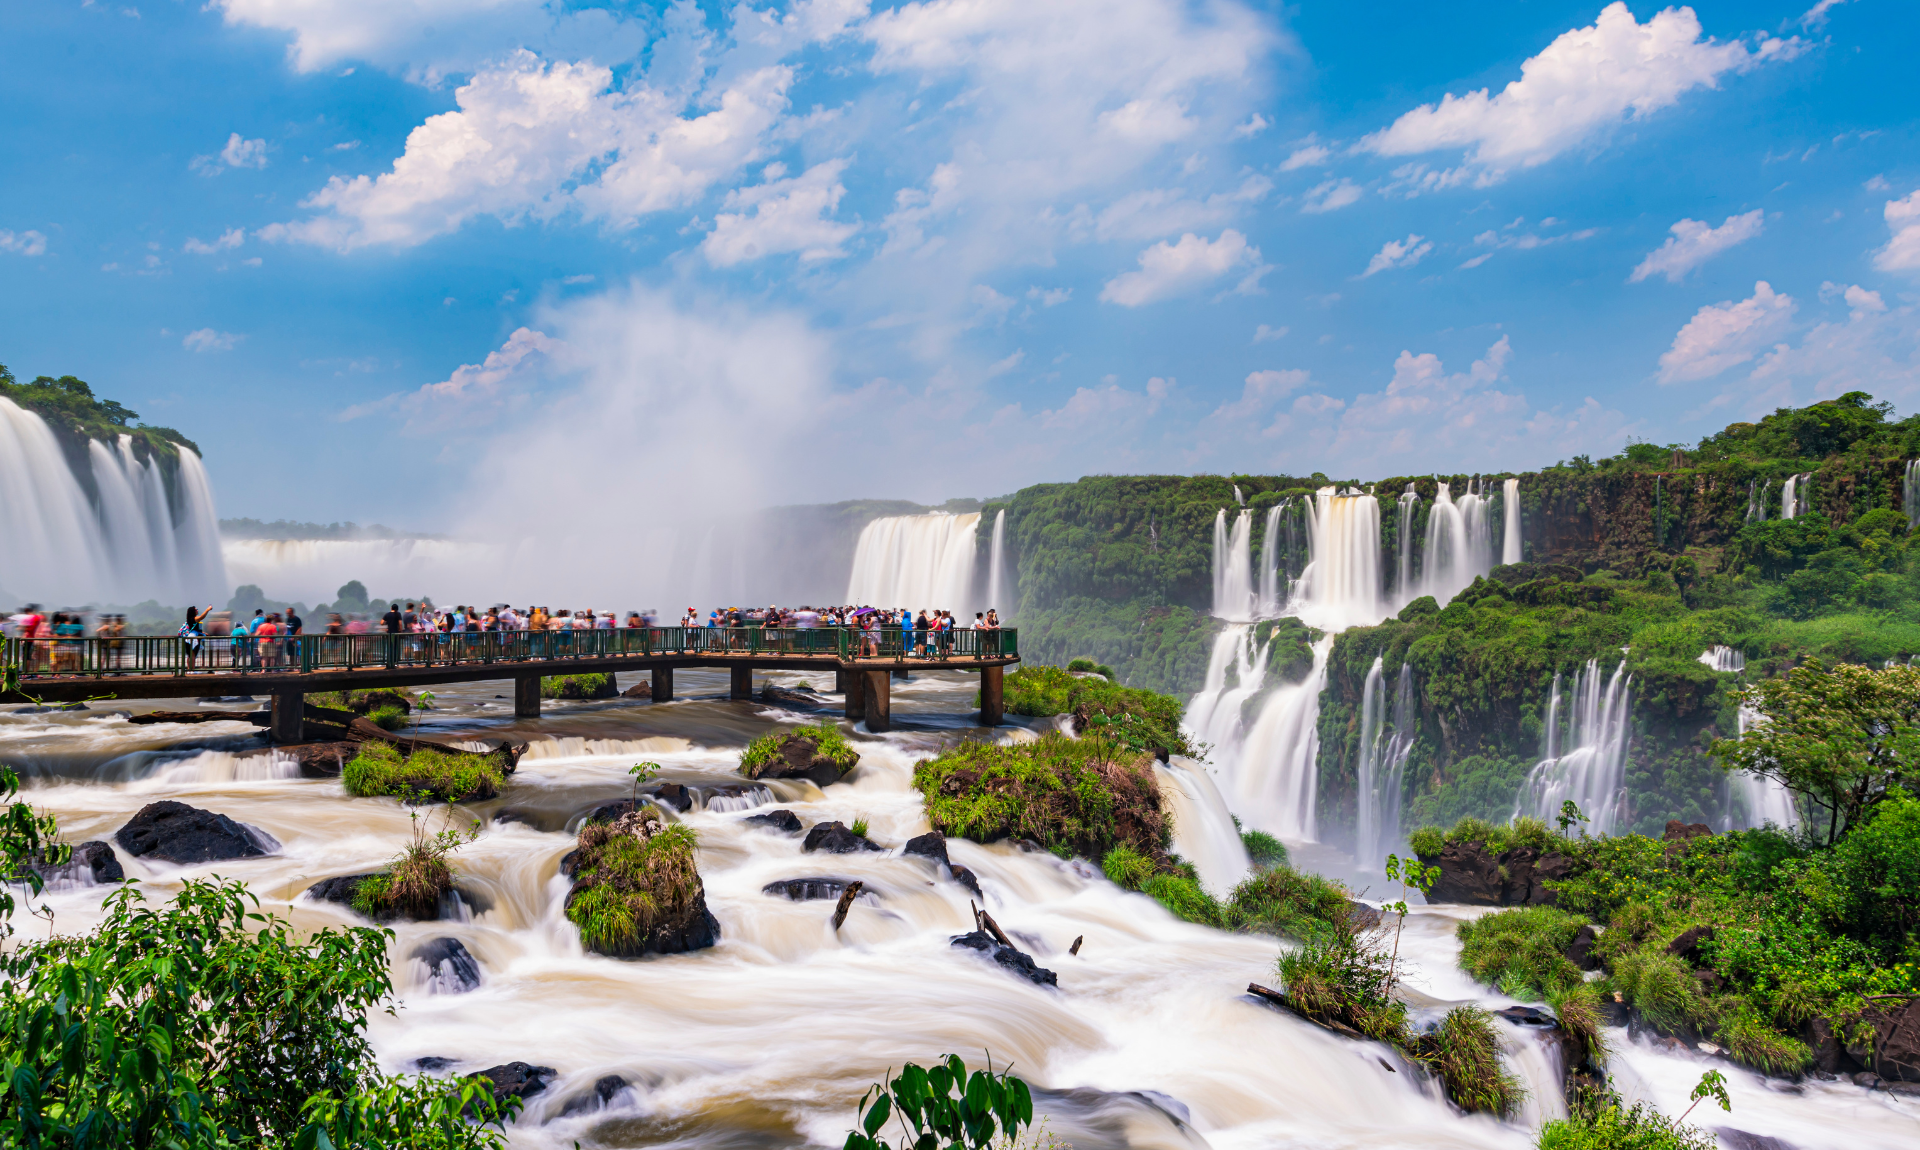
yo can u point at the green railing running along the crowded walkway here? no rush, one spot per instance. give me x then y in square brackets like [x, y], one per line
[174, 656]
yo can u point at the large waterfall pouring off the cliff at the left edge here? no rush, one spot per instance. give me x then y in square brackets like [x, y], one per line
[133, 539]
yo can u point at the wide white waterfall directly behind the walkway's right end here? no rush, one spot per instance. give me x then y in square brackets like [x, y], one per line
[917, 562]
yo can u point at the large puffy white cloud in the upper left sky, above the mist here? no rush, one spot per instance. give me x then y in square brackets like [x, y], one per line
[535, 141]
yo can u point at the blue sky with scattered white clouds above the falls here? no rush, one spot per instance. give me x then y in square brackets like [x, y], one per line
[454, 264]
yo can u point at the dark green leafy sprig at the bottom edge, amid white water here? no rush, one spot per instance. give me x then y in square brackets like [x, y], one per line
[944, 1109]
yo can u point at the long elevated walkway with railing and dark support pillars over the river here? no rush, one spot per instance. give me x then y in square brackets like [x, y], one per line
[289, 669]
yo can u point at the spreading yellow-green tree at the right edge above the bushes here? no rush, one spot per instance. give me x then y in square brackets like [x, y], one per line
[1836, 738]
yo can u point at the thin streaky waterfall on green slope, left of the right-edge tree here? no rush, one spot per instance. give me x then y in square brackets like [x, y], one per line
[1595, 773]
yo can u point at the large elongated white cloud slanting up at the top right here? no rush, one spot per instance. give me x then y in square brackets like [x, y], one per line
[1581, 85]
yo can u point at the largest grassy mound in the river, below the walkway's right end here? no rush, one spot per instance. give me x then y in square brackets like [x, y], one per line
[1072, 796]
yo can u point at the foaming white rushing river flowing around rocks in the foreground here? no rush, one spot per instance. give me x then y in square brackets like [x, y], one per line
[771, 1038]
